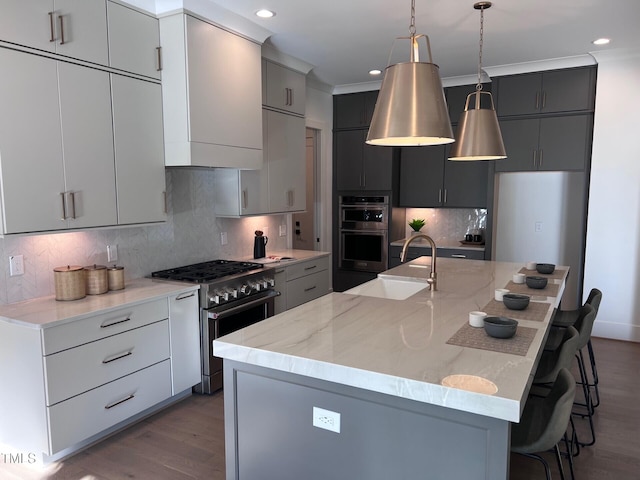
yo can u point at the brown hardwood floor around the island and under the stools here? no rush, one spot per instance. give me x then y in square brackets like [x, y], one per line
[186, 441]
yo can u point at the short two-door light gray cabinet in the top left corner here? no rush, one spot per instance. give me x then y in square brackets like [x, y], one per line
[72, 28]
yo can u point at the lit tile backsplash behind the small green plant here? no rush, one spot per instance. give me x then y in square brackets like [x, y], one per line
[447, 226]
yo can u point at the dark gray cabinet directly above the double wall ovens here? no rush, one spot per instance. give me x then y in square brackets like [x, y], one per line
[360, 166]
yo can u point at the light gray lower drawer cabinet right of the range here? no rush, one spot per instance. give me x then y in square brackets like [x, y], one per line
[301, 282]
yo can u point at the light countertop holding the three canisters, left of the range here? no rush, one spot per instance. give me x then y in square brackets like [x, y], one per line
[46, 312]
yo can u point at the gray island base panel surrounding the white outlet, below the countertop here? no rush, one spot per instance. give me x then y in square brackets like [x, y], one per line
[270, 433]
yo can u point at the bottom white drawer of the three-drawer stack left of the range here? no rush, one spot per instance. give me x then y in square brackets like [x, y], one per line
[85, 415]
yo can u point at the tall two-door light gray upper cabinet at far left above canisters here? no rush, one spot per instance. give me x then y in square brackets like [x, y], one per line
[56, 149]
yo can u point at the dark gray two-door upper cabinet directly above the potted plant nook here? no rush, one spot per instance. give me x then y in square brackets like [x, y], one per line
[428, 179]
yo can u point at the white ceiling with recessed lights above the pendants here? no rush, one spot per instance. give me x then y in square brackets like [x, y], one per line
[344, 39]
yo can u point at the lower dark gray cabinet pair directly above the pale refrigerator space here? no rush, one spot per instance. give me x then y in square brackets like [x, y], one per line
[546, 144]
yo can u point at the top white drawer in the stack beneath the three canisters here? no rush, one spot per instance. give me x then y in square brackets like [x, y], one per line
[103, 325]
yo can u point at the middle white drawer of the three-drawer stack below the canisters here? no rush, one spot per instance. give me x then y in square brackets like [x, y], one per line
[79, 369]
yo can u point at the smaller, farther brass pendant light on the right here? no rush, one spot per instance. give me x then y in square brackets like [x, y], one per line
[478, 135]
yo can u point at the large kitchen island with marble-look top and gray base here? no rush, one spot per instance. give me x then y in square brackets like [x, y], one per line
[375, 368]
